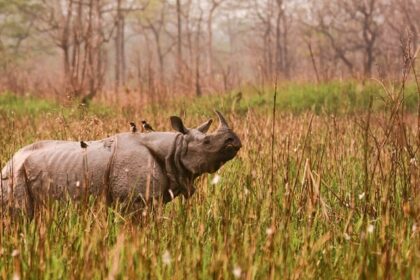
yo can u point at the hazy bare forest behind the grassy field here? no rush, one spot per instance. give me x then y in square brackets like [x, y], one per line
[153, 49]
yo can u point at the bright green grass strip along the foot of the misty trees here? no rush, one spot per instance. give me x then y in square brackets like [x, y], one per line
[345, 97]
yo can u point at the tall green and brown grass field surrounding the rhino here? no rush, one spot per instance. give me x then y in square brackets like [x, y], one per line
[337, 195]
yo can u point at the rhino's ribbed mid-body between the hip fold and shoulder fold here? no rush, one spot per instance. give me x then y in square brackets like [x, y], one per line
[67, 169]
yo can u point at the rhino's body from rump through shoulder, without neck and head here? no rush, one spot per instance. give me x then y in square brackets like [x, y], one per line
[120, 166]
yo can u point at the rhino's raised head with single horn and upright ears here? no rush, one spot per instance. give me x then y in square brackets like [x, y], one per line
[206, 153]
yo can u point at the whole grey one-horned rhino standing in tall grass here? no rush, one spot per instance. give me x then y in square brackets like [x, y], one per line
[129, 167]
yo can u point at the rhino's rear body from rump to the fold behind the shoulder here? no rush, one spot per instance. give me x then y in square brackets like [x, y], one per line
[58, 169]
